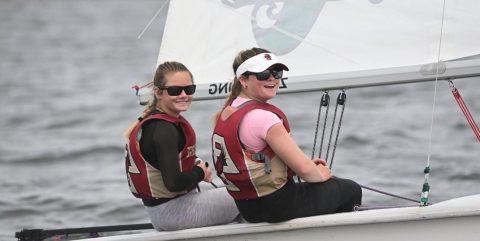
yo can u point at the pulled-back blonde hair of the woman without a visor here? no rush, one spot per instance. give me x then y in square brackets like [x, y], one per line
[159, 81]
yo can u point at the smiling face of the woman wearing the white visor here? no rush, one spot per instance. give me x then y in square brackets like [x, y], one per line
[259, 90]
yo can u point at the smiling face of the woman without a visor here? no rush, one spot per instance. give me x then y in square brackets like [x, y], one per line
[173, 105]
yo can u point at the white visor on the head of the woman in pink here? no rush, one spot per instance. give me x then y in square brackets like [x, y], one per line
[259, 63]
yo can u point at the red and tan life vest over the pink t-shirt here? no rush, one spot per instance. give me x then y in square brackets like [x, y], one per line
[245, 176]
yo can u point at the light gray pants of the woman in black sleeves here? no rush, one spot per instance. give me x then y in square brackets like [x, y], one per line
[194, 209]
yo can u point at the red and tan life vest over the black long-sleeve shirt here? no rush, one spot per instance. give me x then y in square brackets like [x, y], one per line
[144, 180]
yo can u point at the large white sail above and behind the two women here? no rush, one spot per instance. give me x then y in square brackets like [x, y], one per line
[323, 41]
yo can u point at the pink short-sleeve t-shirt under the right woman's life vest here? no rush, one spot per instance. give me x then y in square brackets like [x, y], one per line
[254, 126]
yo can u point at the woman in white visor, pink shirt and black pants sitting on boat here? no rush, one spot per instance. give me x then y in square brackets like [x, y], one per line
[256, 157]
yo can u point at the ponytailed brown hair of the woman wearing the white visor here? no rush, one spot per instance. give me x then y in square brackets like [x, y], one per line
[236, 85]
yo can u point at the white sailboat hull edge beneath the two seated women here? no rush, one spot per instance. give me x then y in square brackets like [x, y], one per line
[457, 219]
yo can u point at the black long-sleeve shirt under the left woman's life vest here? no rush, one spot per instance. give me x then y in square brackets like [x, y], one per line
[160, 145]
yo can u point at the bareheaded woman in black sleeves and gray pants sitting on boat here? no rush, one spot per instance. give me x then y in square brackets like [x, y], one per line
[162, 167]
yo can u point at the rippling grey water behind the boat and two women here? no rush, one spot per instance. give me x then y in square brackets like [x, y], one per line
[66, 72]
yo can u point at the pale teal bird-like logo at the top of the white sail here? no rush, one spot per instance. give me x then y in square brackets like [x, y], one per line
[281, 26]
